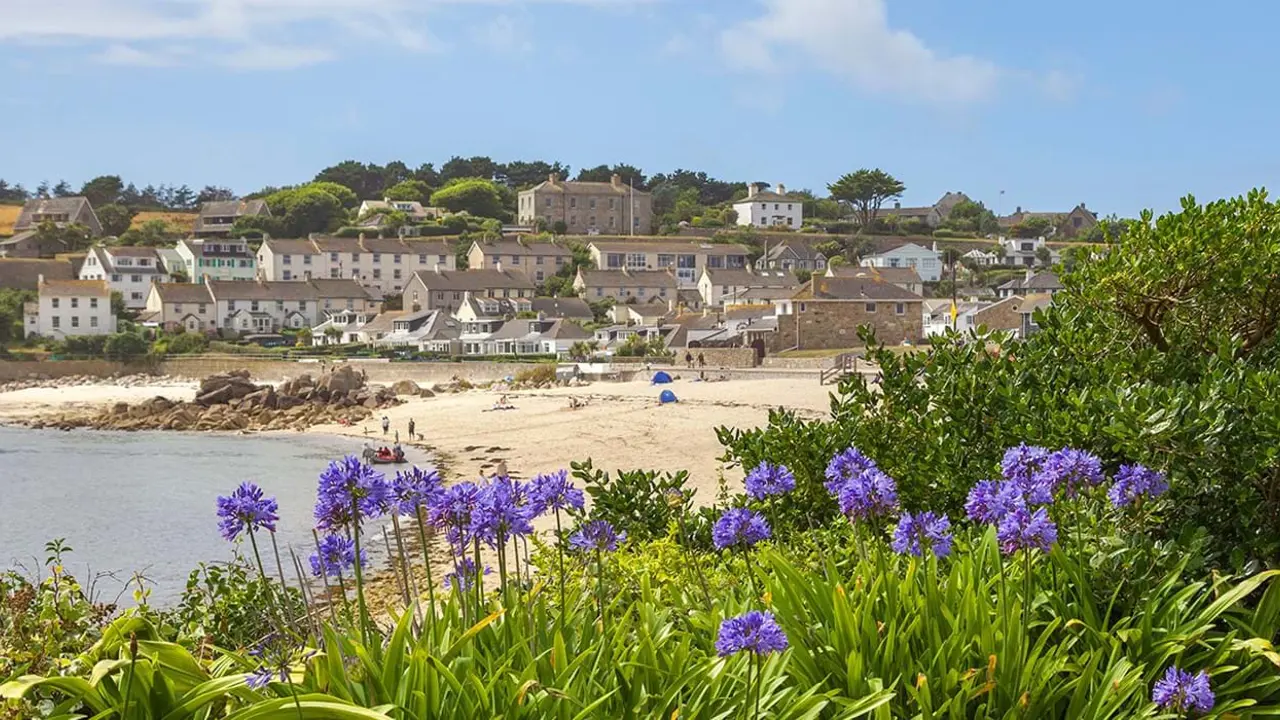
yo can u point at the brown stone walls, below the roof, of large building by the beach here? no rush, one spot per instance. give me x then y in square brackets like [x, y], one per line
[831, 325]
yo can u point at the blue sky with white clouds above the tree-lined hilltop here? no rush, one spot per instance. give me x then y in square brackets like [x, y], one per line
[1122, 106]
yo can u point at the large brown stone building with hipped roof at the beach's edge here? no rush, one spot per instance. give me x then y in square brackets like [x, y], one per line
[828, 313]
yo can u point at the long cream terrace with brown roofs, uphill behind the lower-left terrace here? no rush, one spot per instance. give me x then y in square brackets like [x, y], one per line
[383, 265]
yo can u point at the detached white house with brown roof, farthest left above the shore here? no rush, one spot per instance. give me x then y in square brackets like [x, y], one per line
[68, 309]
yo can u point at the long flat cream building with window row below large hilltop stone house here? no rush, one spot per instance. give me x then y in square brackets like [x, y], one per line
[685, 259]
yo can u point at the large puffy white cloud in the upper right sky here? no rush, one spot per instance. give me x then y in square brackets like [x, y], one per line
[853, 40]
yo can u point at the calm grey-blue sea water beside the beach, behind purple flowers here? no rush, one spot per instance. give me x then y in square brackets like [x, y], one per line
[145, 503]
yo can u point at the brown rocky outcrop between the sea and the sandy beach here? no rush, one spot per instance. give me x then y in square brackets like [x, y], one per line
[232, 402]
